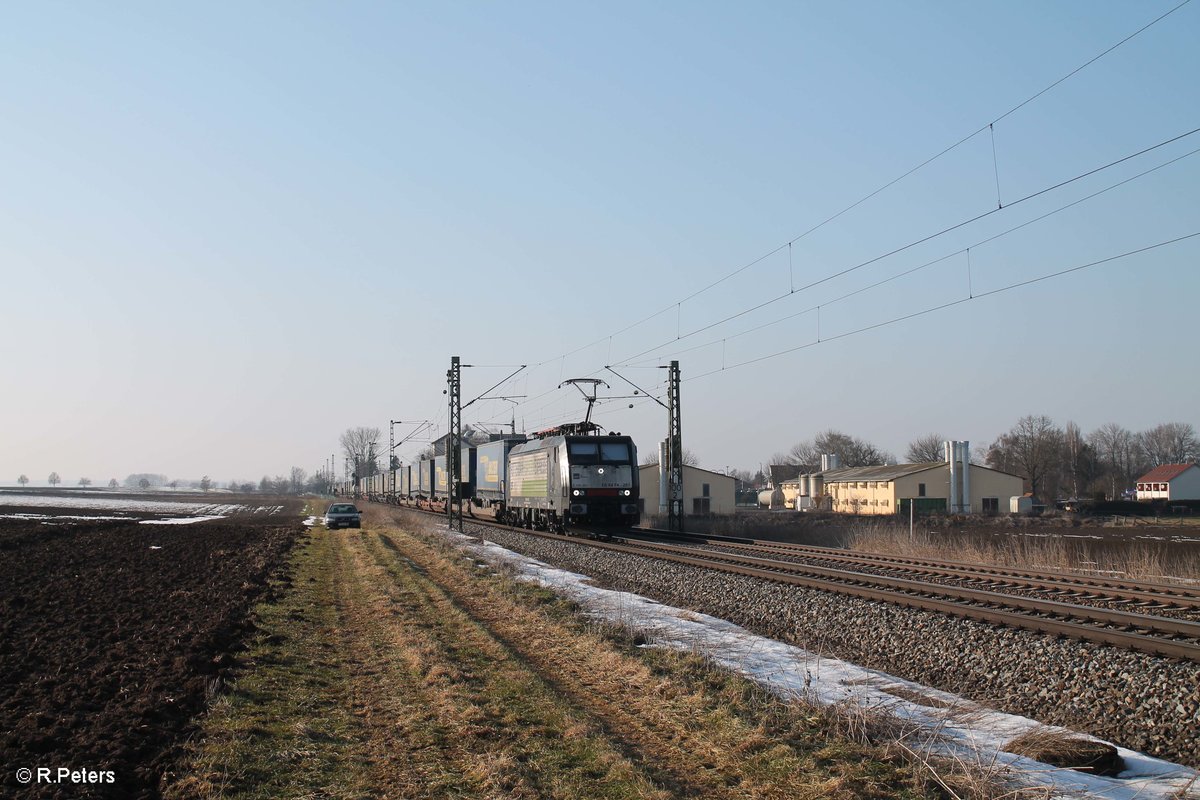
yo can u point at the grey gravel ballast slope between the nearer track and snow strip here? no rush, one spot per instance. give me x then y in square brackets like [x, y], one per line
[1141, 702]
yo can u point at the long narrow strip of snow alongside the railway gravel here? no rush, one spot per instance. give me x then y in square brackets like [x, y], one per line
[964, 727]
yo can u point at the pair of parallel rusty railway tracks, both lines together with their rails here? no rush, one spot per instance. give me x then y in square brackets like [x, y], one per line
[1001, 598]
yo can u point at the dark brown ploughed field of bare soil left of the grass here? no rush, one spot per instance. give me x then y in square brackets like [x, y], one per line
[113, 634]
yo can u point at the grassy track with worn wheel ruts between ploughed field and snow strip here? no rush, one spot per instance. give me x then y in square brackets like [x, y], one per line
[392, 670]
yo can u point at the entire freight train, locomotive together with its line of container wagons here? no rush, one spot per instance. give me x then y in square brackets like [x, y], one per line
[555, 480]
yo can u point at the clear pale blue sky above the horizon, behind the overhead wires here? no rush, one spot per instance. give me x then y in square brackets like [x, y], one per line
[229, 232]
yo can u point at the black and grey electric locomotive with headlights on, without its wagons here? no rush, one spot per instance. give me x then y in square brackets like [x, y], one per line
[565, 478]
